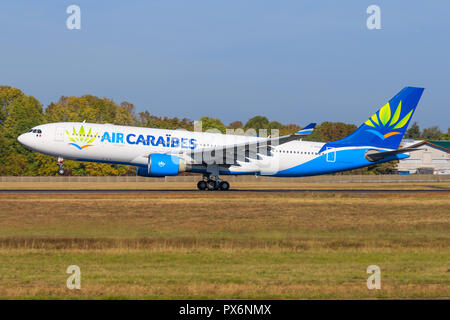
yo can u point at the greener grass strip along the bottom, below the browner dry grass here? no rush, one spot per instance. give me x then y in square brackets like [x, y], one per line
[226, 274]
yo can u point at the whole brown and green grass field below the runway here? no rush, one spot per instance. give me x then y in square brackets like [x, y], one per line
[226, 245]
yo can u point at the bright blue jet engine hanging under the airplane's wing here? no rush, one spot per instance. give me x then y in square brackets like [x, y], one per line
[161, 165]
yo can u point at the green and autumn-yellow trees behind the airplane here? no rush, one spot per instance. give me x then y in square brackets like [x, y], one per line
[19, 113]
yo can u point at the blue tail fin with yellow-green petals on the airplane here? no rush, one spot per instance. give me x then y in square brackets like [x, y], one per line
[385, 129]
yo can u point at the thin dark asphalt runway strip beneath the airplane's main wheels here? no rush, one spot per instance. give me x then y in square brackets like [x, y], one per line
[130, 191]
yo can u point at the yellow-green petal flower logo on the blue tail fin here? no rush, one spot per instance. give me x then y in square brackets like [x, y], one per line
[383, 121]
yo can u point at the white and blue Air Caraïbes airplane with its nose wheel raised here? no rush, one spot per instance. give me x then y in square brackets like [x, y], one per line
[160, 152]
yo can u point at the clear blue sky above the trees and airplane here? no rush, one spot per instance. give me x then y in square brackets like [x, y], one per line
[292, 61]
